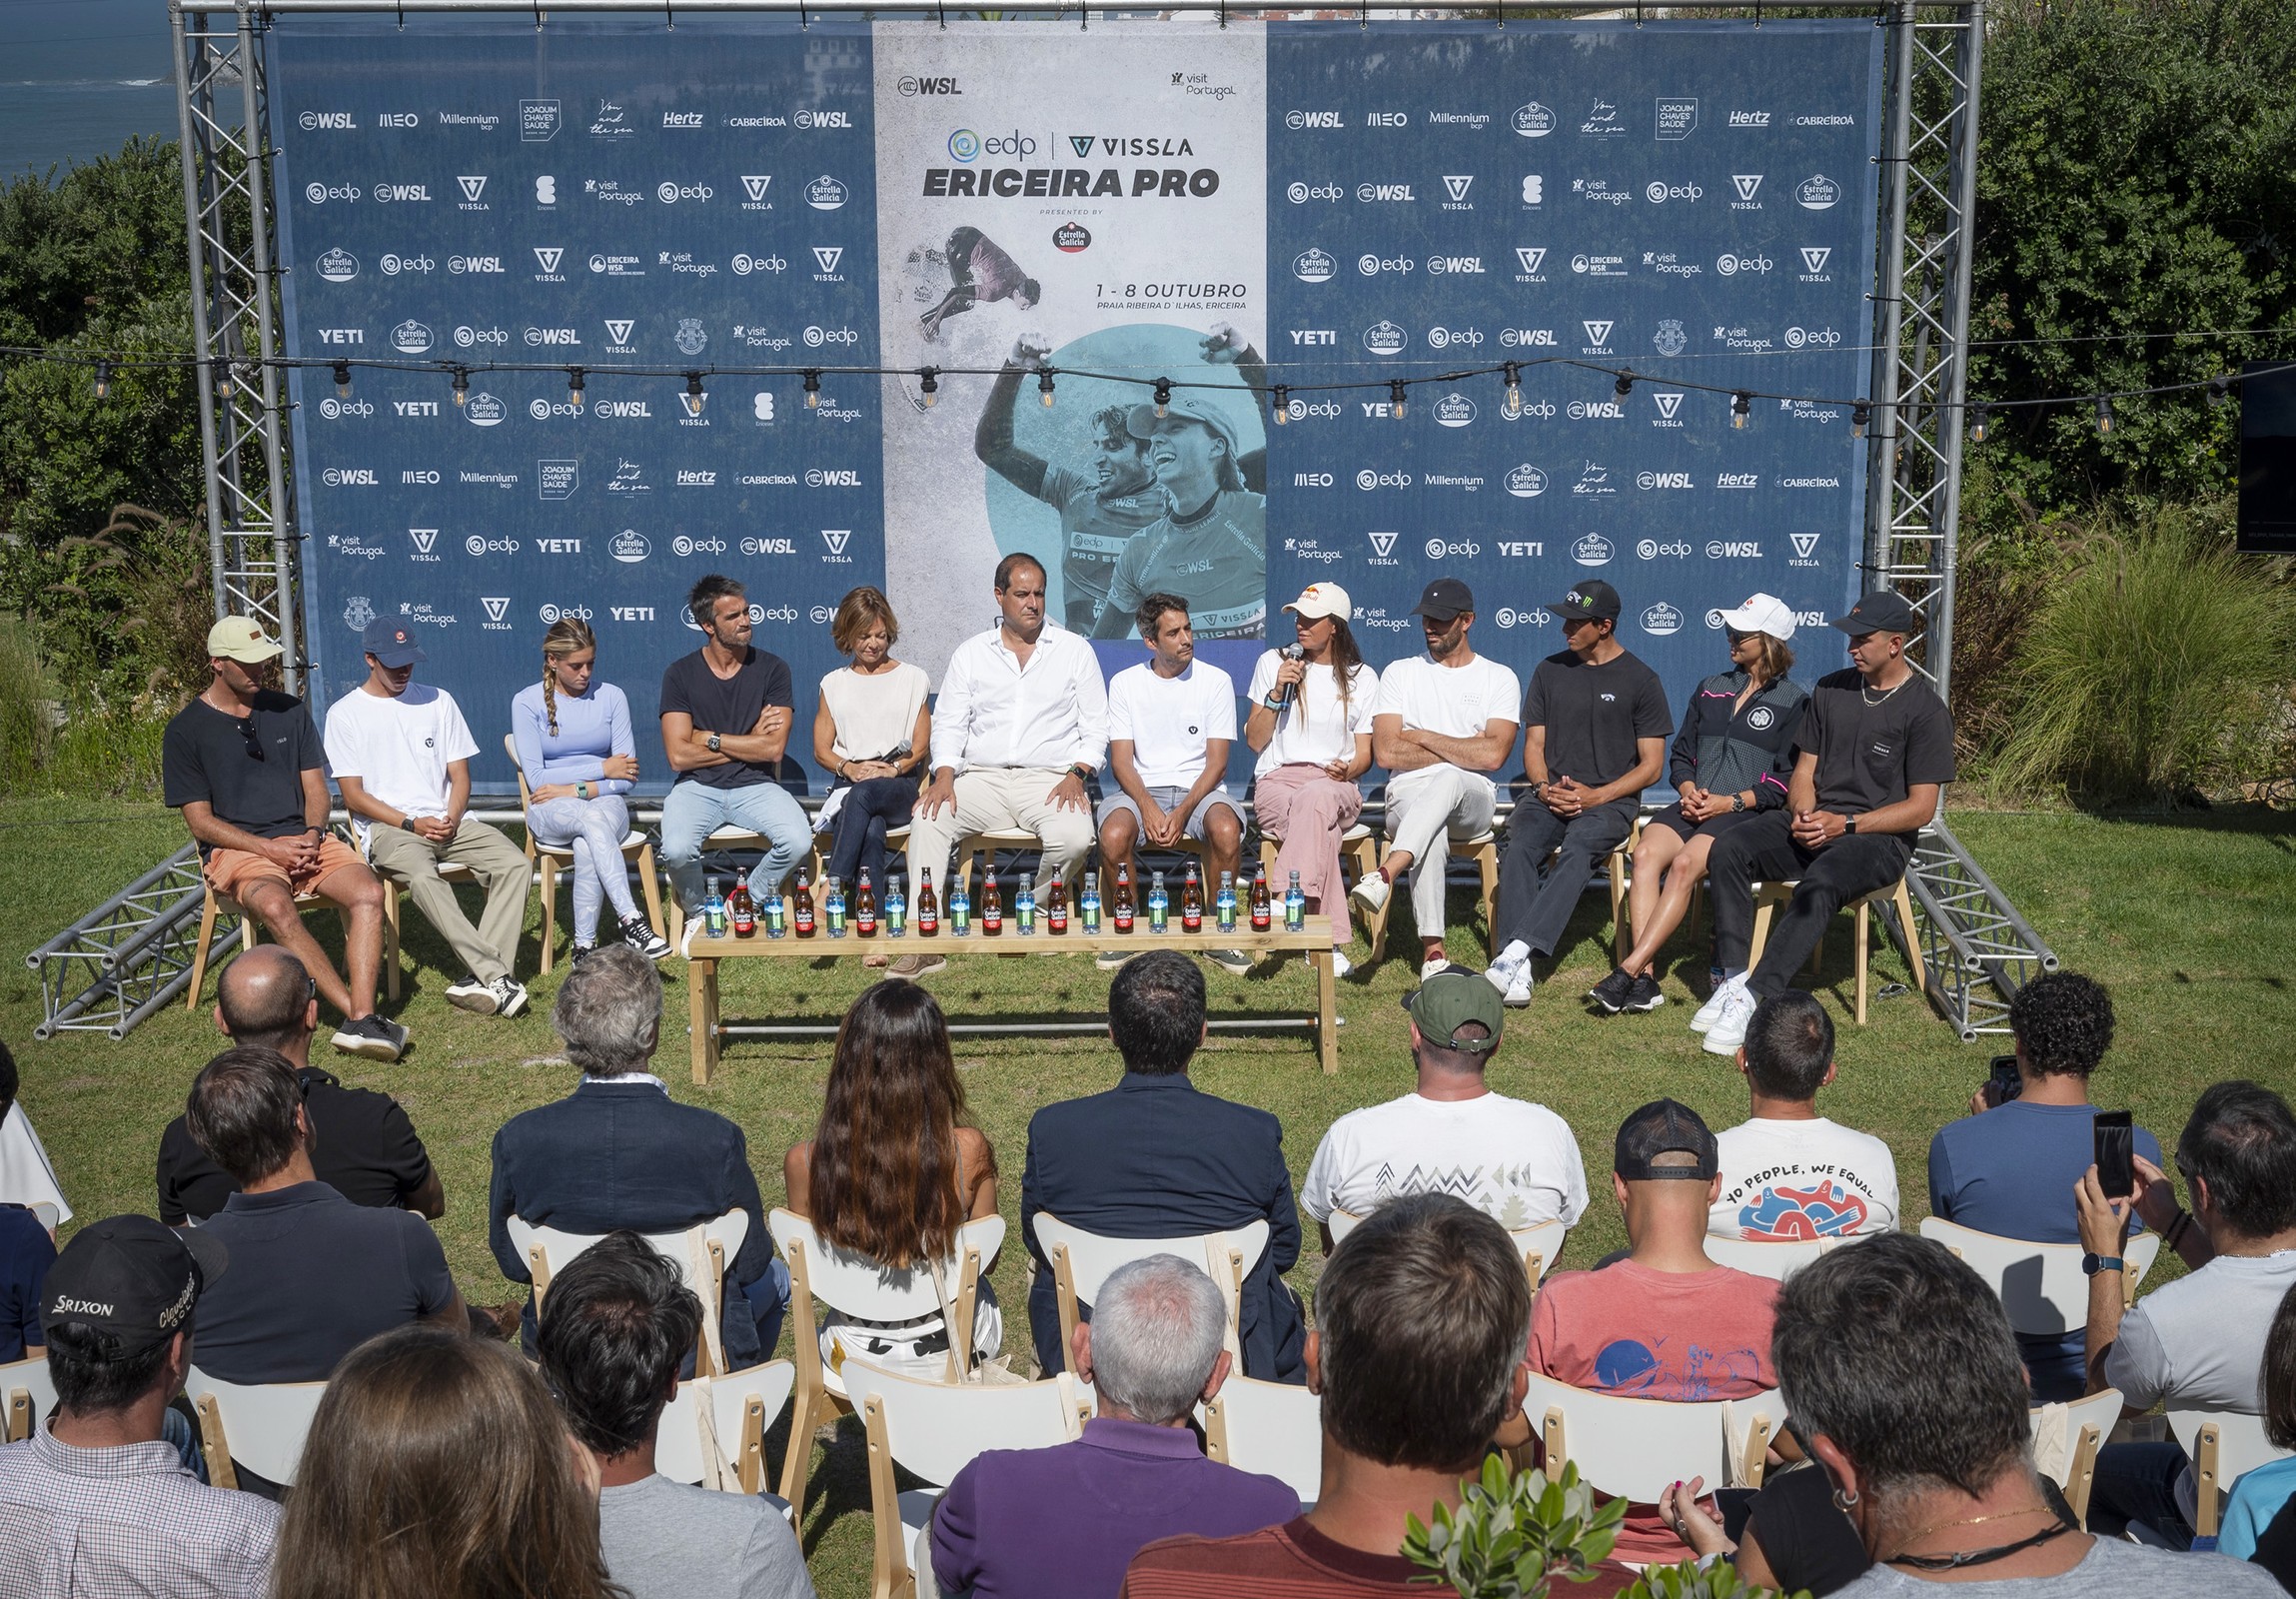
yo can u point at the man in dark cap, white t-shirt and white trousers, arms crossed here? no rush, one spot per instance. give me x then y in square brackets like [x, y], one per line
[1443, 723]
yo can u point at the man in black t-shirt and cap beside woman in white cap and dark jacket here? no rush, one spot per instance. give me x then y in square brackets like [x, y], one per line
[1595, 736]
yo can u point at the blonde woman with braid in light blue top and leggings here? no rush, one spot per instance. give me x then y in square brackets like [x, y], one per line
[580, 759]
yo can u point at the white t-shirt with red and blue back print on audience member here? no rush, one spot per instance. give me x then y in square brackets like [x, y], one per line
[1785, 1182]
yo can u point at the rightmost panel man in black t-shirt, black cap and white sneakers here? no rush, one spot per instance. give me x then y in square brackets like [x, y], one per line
[1875, 755]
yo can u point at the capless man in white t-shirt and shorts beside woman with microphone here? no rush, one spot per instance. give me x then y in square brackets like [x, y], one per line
[1172, 723]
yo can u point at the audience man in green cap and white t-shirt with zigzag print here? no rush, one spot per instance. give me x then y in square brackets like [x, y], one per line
[1510, 1159]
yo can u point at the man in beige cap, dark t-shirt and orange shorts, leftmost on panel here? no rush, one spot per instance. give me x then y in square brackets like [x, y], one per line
[247, 771]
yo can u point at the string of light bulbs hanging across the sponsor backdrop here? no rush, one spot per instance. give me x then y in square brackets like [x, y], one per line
[226, 373]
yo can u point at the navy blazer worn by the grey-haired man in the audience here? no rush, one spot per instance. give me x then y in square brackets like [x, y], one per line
[626, 1154]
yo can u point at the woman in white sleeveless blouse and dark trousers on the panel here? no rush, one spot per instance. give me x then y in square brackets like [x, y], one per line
[871, 734]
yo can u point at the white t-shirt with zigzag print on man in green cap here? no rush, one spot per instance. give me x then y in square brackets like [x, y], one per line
[1510, 1159]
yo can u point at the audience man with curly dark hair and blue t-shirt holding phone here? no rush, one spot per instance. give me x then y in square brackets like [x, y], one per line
[2010, 1168]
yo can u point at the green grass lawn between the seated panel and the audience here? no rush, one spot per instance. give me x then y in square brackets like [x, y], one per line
[2182, 918]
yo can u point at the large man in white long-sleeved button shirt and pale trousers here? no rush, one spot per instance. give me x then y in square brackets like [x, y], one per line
[1021, 725]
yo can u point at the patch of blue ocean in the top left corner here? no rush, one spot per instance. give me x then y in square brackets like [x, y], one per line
[79, 77]
